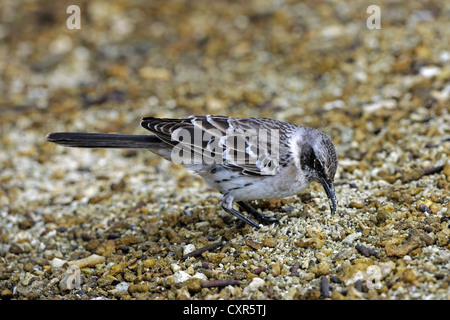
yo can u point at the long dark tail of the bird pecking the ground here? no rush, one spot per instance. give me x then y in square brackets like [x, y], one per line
[100, 140]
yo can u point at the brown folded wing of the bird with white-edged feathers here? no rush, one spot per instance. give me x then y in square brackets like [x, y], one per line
[255, 146]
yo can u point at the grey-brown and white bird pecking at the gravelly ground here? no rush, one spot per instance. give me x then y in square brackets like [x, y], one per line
[245, 159]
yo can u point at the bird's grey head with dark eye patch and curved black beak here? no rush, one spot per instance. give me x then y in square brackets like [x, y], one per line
[318, 160]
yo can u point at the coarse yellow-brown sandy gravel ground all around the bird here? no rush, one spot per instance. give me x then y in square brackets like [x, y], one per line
[119, 224]
